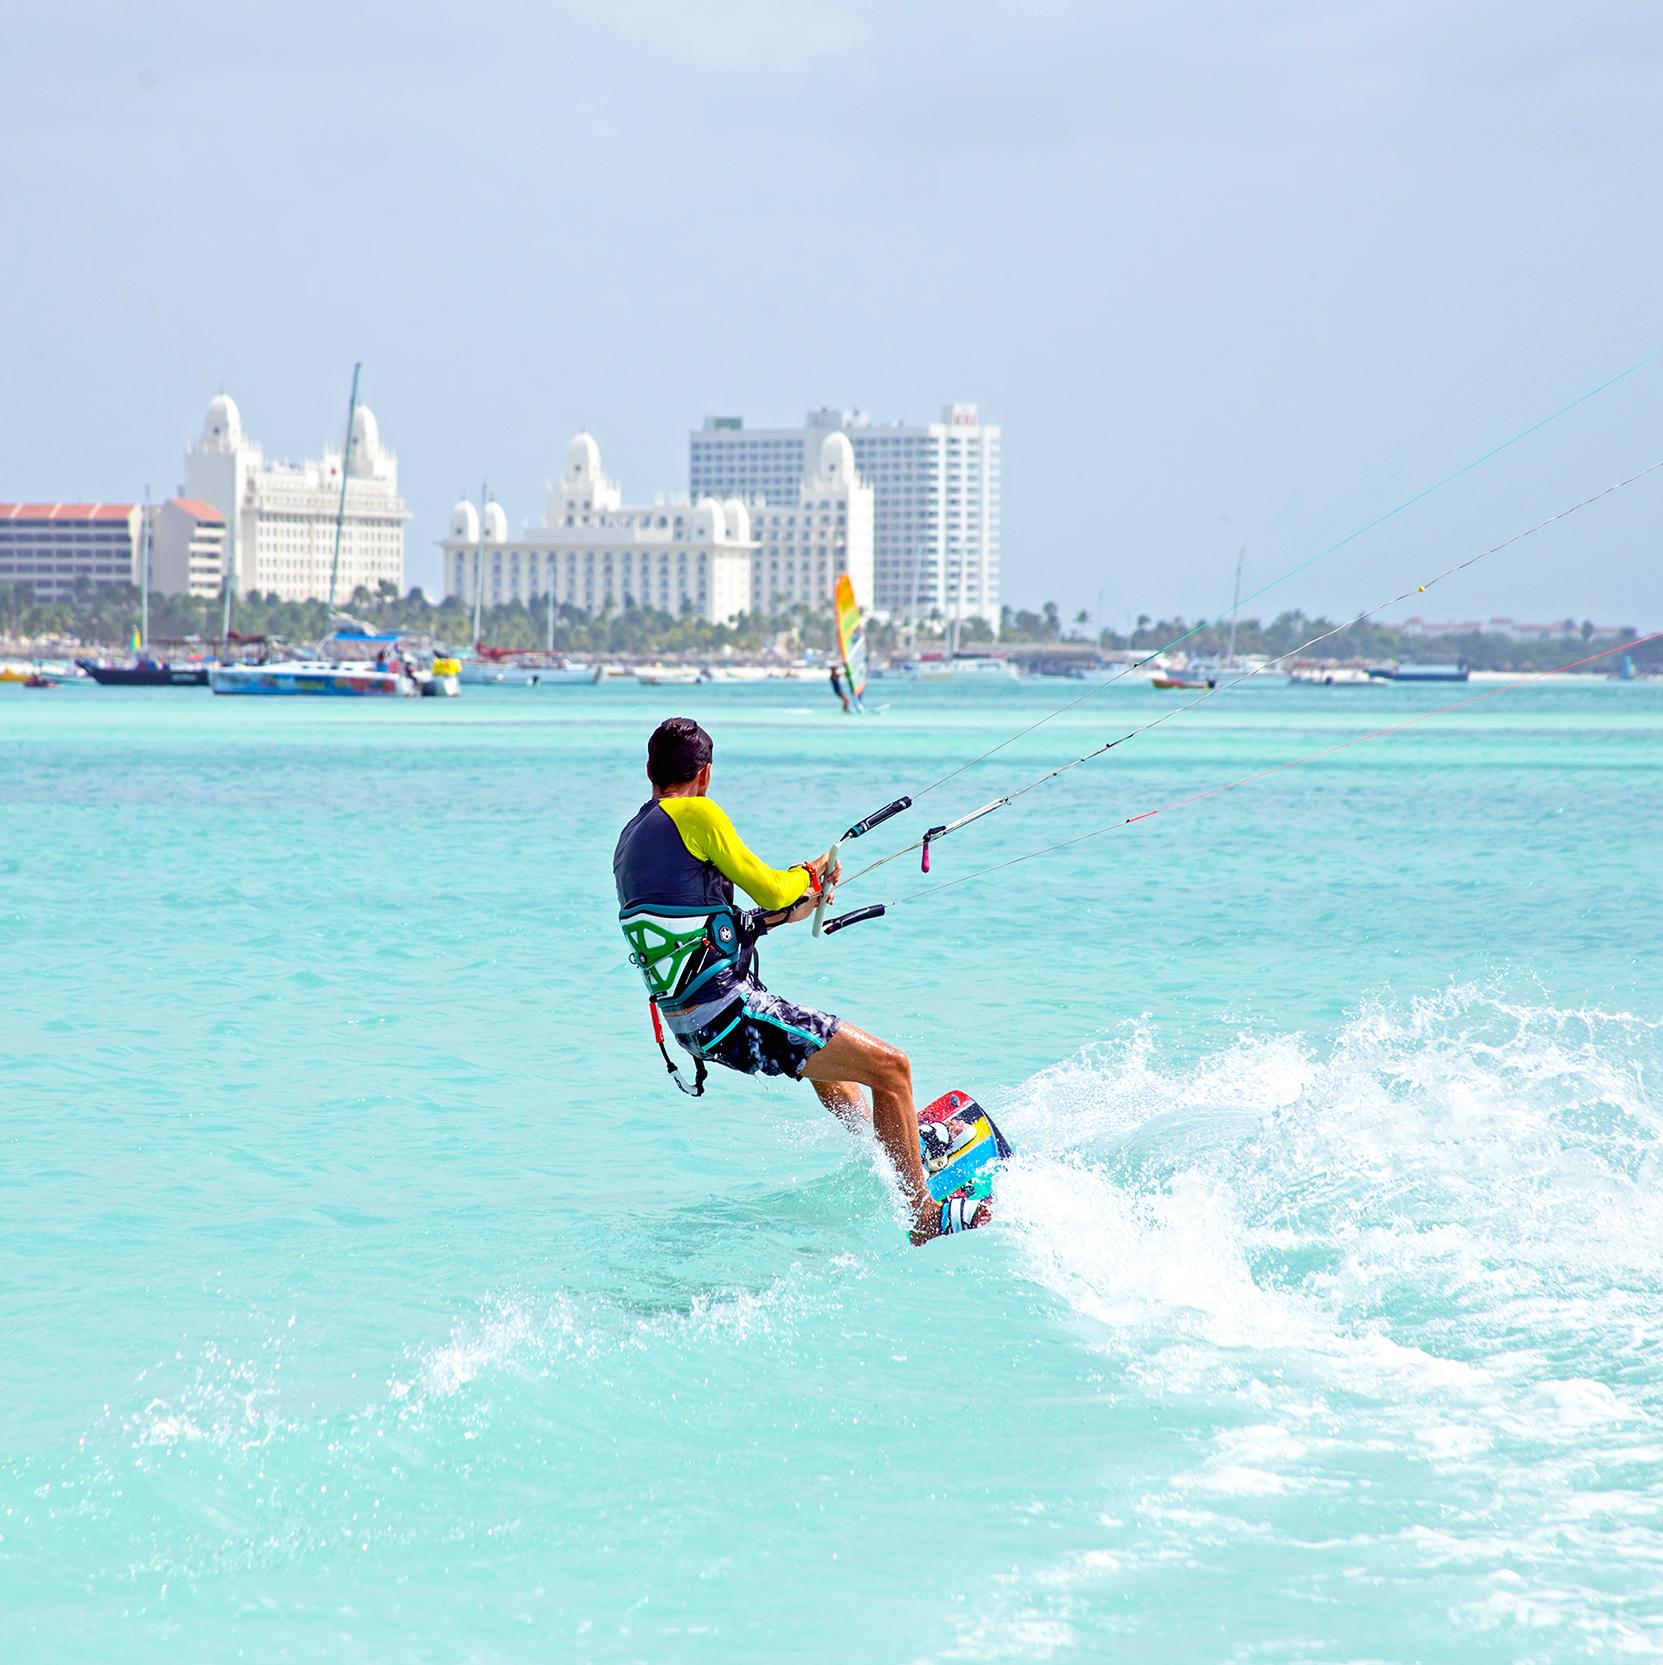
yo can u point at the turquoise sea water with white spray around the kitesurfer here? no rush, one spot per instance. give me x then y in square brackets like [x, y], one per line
[369, 1293]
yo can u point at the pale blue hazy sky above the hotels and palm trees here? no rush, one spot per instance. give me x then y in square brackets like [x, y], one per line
[1226, 276]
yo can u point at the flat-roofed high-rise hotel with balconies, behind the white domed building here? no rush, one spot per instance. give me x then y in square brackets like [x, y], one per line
[935, 487]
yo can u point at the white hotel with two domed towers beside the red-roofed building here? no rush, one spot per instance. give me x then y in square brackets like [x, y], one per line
[282, 515]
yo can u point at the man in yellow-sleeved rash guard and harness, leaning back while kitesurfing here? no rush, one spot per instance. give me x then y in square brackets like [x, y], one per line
[677, 867]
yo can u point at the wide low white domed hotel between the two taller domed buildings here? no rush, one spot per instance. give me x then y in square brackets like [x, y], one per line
[595, 554]
